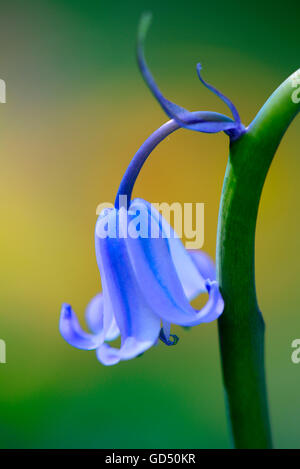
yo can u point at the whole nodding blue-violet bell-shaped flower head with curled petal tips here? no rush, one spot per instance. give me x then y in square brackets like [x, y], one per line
[148, 280]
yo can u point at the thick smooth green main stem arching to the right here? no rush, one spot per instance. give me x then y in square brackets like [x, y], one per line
[241, 327]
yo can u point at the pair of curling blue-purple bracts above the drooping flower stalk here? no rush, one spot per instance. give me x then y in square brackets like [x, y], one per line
[200, 121]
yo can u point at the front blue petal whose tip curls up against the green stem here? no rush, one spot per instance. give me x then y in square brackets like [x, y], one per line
[156, 274]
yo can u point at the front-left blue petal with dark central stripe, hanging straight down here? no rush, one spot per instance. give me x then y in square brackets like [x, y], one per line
[134, 317]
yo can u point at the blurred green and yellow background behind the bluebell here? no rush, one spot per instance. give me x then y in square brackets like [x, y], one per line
[77, 110]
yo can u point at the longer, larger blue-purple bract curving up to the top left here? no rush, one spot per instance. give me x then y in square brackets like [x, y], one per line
[208, 122]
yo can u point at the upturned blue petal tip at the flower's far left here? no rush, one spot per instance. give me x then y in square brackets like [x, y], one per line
[72, 332]
